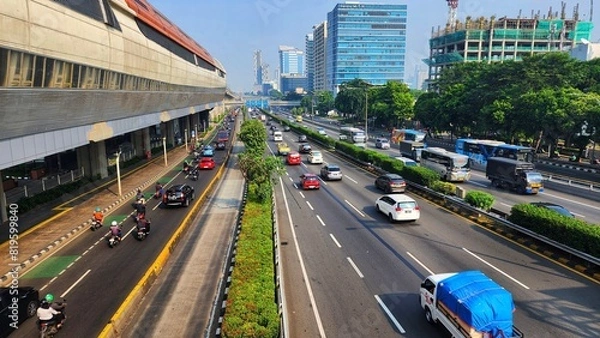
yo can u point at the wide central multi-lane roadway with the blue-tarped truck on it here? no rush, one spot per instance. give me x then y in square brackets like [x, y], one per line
[365, 273]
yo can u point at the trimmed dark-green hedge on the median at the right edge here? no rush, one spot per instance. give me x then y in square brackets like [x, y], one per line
[572, 232]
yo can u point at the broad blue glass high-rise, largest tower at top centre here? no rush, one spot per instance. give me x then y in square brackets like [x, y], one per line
[365, 41]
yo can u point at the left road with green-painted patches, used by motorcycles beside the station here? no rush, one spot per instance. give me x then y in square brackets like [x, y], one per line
[96, 279]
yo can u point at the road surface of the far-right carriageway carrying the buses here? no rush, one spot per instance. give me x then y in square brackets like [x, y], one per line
[580, 201]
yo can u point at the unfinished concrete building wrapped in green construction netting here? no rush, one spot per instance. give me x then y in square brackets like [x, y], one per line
[492, 39]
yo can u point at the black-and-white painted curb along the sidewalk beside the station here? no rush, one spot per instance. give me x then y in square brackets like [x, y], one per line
[17, 267]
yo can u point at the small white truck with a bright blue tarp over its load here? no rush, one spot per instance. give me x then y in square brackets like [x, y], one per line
[469, 305]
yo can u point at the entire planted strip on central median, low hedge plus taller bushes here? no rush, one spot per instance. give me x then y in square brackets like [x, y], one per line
[252, 309]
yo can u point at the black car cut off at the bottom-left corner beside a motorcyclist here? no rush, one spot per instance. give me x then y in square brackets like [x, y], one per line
[28, 300]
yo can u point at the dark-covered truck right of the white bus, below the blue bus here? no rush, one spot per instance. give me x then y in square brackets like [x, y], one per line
[510, 173]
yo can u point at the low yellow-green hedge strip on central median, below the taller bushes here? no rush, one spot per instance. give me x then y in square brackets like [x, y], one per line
[251, 305]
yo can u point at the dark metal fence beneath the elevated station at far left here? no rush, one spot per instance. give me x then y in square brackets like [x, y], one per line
[29, 187]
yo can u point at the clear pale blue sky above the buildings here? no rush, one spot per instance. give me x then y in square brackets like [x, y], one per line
[231, 30]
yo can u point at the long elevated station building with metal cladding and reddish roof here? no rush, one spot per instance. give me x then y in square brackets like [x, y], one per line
[80, 78]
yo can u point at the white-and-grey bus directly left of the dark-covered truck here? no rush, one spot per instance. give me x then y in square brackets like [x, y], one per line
[451, 166]
